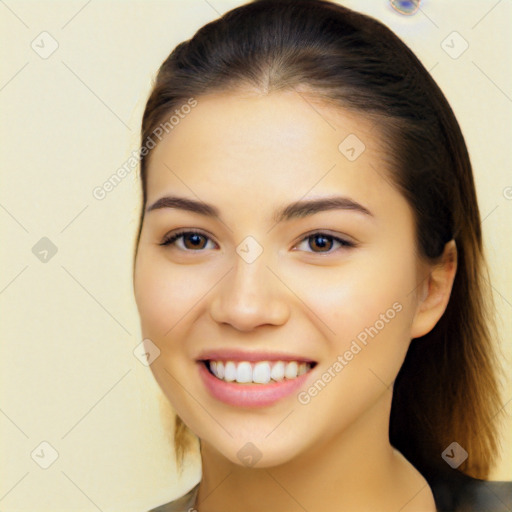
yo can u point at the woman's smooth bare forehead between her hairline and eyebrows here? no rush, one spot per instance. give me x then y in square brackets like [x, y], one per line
[269, 148]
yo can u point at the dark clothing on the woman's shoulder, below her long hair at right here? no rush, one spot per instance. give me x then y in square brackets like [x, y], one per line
[455, 491]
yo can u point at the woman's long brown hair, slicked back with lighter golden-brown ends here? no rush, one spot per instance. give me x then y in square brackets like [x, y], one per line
[447, 389]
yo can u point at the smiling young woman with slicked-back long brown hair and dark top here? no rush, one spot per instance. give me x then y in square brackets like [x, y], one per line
[309, 266]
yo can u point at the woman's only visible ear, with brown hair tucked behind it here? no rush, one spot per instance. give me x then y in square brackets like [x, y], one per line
[434, 291]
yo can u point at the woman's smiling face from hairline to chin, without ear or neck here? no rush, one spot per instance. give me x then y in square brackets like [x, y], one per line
[253, 285]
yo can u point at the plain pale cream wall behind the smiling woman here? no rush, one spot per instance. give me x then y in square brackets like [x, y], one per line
[69, 325]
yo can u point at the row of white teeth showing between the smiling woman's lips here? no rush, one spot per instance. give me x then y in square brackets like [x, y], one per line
[260, 372]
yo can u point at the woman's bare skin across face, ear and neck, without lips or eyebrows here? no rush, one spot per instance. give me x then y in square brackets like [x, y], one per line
[249, 154]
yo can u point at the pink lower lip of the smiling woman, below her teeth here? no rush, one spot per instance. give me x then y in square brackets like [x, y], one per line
[250, 395]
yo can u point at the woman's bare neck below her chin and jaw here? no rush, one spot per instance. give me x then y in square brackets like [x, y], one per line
[356, 469]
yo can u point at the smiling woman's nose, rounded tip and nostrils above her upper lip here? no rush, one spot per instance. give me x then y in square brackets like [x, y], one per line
[250, 296]
